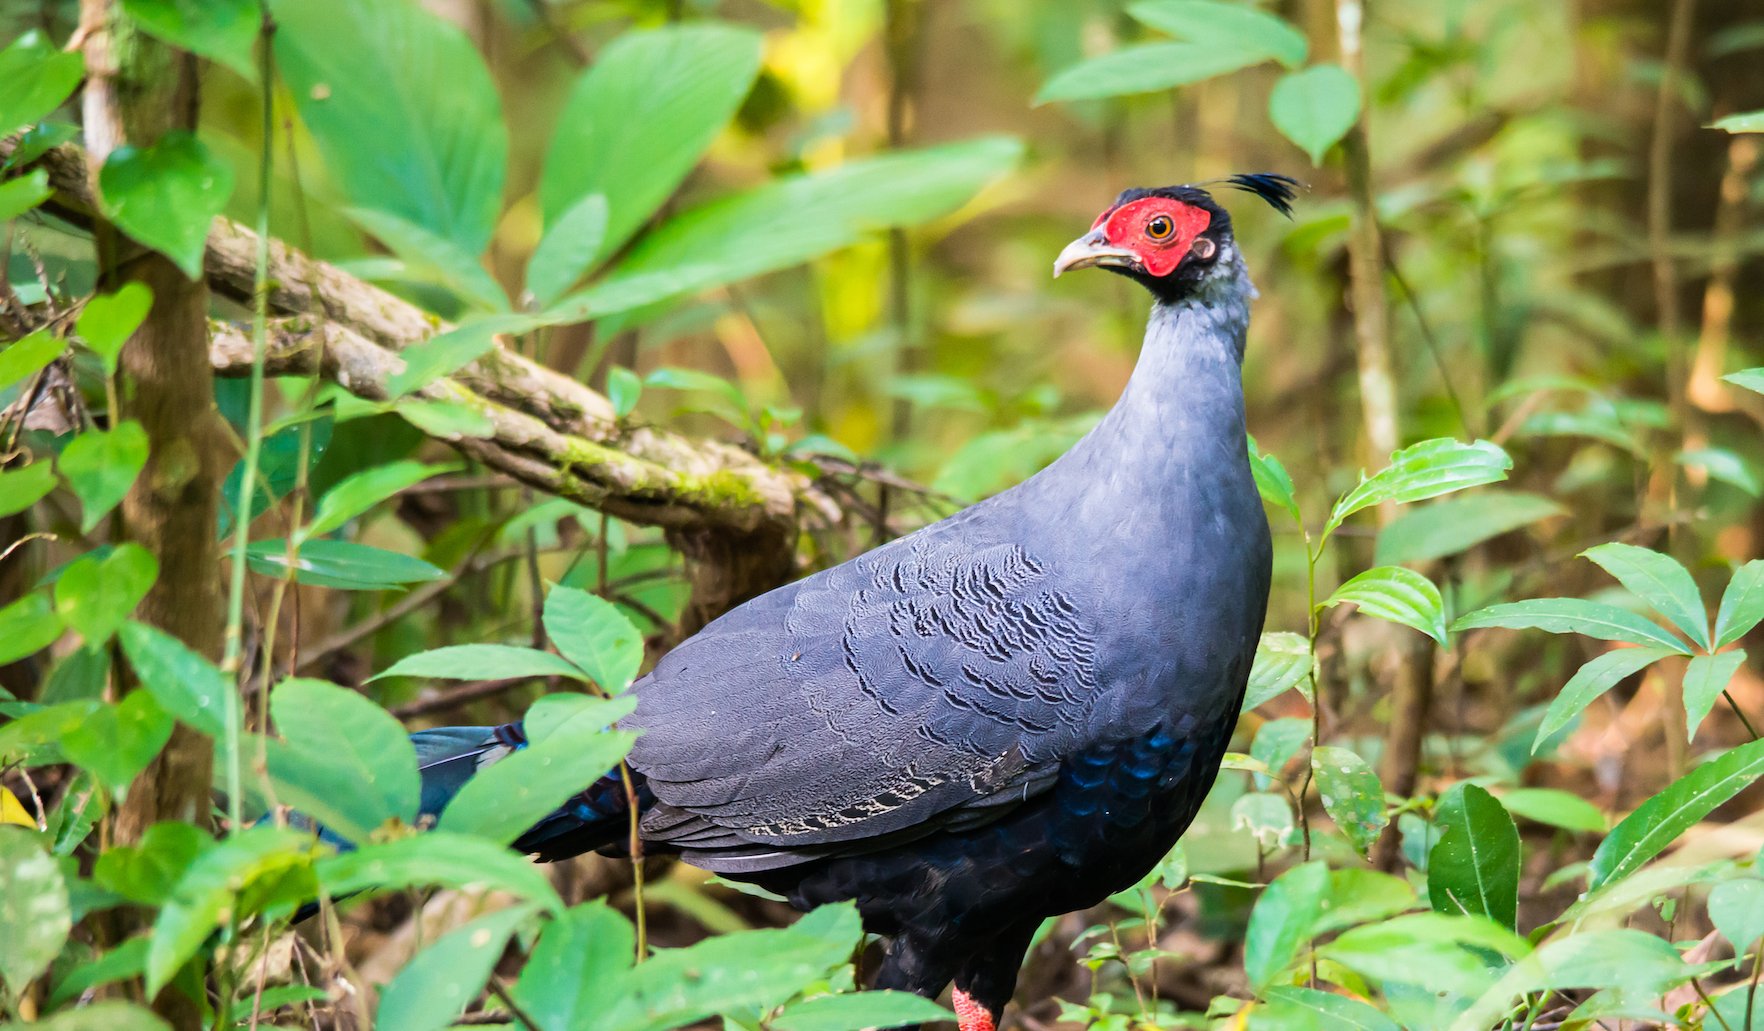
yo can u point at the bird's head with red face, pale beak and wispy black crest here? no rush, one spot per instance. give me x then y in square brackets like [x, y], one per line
[1172, 239]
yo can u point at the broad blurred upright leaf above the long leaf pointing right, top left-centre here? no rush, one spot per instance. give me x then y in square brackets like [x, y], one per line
[641, 117]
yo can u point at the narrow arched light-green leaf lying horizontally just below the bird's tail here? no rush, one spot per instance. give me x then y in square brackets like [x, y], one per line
[442, 859]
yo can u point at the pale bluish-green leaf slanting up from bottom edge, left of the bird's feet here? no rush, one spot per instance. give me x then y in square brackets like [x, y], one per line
[435, 988]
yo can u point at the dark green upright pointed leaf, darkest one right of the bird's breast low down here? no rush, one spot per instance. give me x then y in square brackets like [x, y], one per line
[1476, 866]
